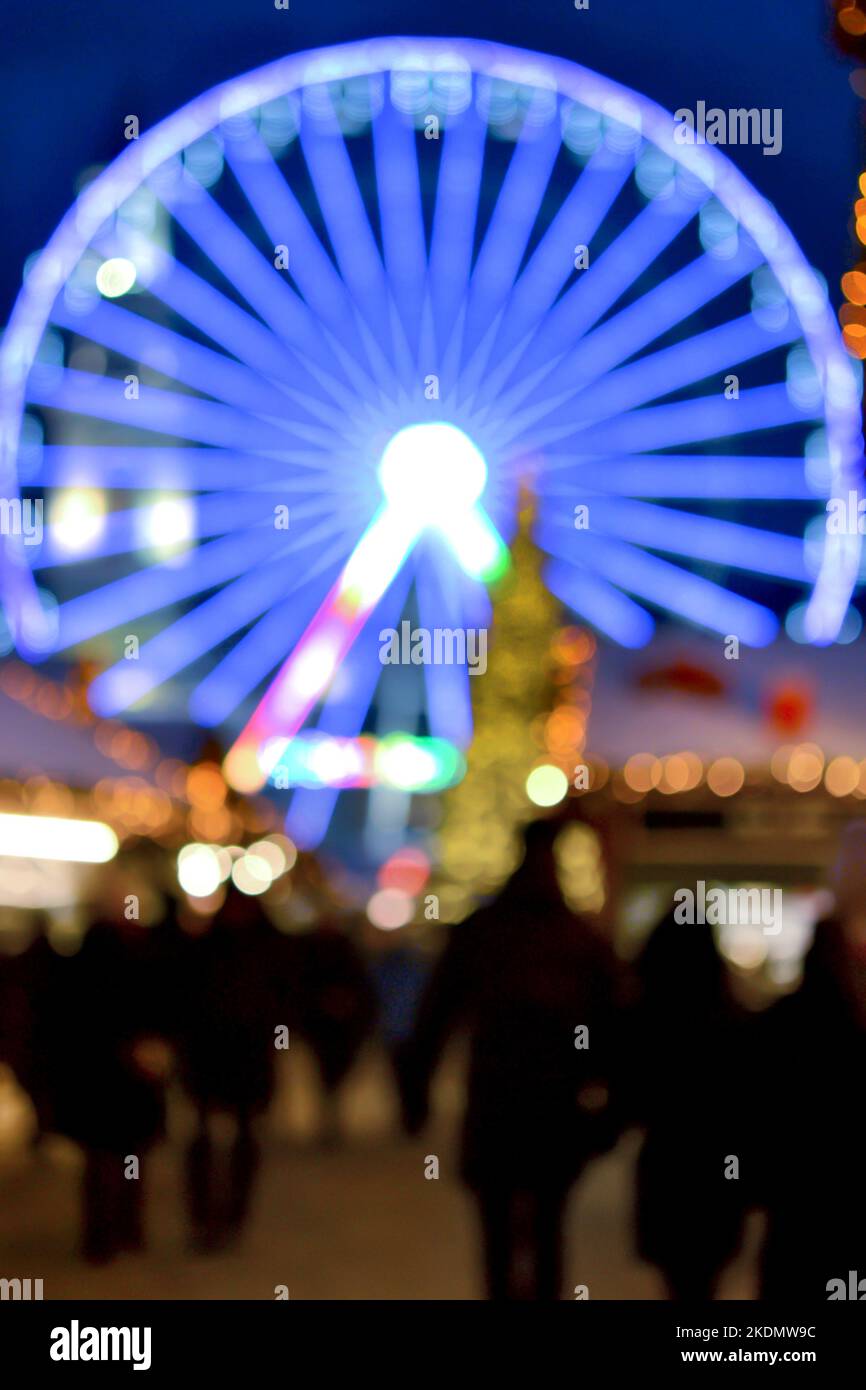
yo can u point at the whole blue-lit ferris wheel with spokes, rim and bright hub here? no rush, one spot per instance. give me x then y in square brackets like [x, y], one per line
[295, 354]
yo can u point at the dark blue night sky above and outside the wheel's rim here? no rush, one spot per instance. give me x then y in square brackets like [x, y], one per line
[72, 72]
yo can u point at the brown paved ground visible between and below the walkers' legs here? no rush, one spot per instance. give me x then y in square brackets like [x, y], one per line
[359, 1221]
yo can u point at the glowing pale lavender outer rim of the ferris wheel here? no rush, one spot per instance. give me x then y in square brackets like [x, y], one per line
[838, 575]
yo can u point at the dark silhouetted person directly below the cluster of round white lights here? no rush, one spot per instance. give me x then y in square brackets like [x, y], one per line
[229, 1043]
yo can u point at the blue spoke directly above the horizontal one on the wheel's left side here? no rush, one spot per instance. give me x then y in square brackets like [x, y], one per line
[166, 412]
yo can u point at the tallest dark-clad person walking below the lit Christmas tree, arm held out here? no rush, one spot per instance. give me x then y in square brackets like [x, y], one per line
[533, 985]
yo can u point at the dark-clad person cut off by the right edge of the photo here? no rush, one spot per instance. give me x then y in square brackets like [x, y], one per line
[811, 1122]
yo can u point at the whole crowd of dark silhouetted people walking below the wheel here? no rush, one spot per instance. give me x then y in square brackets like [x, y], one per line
[569, 1047]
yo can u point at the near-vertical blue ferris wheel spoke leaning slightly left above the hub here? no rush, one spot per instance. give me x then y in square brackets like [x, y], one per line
[401, 218]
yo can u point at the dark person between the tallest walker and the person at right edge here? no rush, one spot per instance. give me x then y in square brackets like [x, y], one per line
[686, 1070]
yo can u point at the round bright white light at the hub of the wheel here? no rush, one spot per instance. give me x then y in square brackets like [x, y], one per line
[433, 471]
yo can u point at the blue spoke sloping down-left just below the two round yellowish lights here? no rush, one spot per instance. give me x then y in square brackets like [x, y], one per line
[156, 587]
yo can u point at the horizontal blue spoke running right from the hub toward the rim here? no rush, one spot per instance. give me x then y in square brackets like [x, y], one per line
[697, 476]
